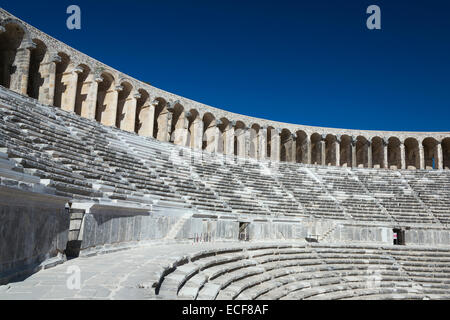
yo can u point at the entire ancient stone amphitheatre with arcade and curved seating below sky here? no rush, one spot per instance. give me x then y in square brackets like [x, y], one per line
[150, 195]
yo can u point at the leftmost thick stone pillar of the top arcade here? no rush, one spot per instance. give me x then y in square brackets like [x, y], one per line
[21, 64]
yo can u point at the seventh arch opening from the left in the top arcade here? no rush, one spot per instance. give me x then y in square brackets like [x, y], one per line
[144, 115]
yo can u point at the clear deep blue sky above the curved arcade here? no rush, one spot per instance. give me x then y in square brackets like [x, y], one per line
[306, 62]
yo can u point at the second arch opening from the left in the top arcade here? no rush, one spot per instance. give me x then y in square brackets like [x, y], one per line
[39, 56]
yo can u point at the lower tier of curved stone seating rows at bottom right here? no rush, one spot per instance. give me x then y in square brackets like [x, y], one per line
[310, 272]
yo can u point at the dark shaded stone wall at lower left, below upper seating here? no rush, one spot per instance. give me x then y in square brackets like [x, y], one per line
[33, 231]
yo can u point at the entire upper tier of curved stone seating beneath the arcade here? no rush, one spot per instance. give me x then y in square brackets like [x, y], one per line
[83, 159]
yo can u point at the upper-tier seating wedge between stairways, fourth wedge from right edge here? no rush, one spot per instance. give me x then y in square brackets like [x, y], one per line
[310, 193]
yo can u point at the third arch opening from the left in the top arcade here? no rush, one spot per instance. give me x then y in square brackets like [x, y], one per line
[62, 80]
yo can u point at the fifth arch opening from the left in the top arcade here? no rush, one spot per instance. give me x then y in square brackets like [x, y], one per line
[106, 106]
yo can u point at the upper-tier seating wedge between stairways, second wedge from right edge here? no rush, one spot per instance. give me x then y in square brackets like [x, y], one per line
[395, 195]
